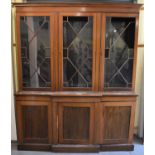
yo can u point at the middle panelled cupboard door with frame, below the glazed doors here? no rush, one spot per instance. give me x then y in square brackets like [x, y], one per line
[76, 123]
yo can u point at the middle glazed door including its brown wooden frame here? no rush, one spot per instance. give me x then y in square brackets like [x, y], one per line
[77, 51]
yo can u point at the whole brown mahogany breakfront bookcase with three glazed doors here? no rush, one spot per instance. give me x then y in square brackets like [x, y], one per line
[76, 74]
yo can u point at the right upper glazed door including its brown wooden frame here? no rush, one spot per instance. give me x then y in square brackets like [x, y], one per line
[119, 40]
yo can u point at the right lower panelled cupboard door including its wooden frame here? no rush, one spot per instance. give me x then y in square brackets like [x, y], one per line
[118, 121]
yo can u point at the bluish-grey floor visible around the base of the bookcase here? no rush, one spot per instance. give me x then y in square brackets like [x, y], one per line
[139, 150]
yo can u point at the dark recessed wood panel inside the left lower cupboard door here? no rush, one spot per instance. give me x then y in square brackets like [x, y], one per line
[35, 123]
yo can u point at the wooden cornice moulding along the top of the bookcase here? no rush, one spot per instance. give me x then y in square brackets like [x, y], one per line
[105, 7]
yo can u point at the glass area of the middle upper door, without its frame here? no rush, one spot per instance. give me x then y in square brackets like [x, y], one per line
[77, 51]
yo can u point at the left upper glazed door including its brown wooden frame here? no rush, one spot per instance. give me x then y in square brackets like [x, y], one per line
[35, 34]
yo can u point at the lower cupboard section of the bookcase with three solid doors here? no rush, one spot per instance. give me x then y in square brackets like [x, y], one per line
[73, 124]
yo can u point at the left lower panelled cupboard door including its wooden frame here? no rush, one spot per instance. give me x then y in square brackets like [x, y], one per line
[33, 122]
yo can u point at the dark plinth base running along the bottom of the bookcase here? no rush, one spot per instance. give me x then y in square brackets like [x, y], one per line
[76, 148]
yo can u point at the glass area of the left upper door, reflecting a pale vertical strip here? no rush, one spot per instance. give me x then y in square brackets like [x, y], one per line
[35, 51]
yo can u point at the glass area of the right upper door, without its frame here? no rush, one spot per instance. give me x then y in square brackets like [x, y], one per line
[119, 48]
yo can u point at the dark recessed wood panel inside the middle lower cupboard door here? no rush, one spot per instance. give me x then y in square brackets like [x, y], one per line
[80, 129]
